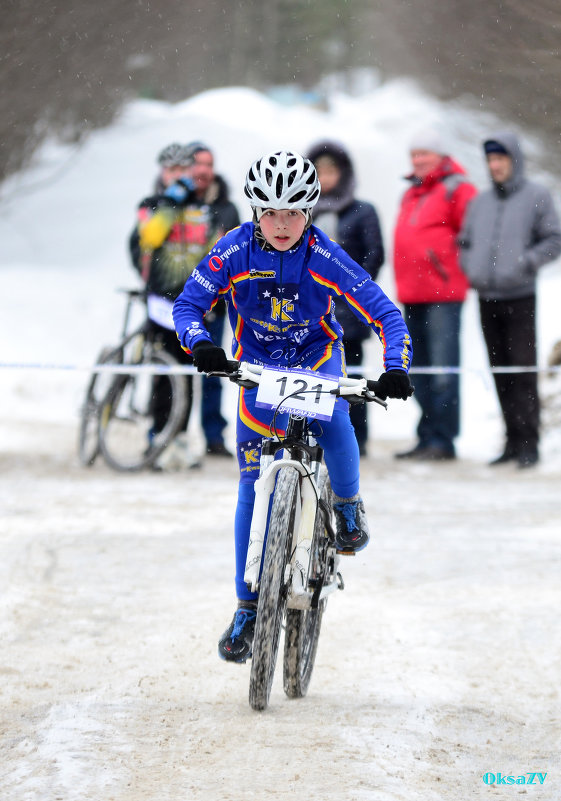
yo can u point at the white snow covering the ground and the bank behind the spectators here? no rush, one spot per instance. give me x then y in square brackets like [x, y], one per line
[438, 664]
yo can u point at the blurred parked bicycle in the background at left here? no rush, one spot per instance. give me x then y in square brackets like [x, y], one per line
[118, 411]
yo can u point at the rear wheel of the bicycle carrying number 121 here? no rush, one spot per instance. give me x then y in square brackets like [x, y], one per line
[303, 626]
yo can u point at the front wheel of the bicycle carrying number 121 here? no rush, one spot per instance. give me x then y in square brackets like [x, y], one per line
[273, 587]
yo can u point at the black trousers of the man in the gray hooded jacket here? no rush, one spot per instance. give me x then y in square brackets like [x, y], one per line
[509, 329]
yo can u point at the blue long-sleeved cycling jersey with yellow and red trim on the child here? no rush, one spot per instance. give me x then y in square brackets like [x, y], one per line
[280, 304]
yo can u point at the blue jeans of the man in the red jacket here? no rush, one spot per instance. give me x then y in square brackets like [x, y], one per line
[435, 332]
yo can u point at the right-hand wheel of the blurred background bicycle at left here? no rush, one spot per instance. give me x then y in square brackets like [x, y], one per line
[126, 420]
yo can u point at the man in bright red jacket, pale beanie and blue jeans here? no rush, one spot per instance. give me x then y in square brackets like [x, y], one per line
[432, 287]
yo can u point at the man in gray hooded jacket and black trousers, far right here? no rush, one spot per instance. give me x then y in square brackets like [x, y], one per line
[509, 232]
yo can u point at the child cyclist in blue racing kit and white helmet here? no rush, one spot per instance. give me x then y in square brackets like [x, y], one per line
[279, 276]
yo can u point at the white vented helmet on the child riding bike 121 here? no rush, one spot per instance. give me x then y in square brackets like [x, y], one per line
[282, 180]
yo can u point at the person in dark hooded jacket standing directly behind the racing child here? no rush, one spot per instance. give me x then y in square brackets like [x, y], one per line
[355, 226]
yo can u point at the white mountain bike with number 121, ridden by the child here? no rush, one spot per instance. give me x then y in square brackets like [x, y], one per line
[292, 561]
